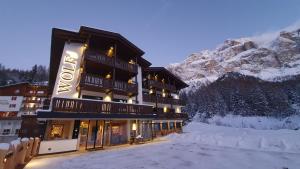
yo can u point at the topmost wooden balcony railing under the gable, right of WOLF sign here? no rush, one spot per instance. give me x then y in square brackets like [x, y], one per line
[93, 56]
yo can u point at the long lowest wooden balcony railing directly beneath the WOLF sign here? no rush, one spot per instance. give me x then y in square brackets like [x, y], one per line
[96, 106]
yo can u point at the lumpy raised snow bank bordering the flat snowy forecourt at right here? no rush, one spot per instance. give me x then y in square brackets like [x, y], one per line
[282, 140]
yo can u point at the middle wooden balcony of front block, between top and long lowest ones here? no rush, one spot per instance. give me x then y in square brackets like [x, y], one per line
[97, 83]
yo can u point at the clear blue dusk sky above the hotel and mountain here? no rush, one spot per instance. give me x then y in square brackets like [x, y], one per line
[167, 30]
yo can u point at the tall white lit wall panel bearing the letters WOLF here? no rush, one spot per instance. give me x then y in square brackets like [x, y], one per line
[68, 73]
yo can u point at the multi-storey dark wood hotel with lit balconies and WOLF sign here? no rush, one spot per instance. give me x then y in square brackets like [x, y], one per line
[103, 93]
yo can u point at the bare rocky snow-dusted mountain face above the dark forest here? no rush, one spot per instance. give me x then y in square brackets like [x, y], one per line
[271, 57]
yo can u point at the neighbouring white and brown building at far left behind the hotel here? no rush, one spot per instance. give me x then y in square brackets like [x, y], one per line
[16, 102]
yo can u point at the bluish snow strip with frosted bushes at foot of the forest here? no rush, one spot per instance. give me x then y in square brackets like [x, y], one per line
[256, 122]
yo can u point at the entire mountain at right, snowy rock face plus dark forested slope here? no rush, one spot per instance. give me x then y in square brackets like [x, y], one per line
[246, 76]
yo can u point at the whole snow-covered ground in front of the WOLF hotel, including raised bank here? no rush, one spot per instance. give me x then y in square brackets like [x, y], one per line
[201, 146]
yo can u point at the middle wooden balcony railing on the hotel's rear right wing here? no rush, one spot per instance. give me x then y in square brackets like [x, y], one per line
[163, 100]
